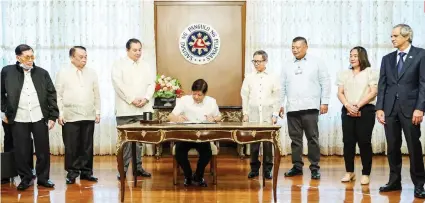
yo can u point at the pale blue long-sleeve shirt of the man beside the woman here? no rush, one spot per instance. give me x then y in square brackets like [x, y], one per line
[305, 84]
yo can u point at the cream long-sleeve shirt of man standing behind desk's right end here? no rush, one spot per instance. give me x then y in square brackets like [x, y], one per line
[261, 96]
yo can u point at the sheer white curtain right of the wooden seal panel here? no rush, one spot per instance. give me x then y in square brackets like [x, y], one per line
[332, 28]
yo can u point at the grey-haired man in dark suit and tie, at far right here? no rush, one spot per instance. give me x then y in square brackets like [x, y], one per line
[400, 106]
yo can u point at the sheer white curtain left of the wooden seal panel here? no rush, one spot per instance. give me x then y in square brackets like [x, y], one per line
[52, 27]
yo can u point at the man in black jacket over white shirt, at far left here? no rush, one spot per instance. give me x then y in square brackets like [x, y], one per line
[28, 101]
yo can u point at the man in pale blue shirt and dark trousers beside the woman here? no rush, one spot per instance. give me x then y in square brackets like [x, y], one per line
[306, 87]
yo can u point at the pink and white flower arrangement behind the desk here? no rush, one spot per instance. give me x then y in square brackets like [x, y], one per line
[167, 87]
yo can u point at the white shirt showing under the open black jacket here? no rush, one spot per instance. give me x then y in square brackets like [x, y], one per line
[29, 110]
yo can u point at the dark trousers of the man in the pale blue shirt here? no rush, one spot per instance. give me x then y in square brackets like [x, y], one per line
[300, 122]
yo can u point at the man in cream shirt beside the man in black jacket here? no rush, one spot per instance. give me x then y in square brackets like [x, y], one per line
[78, 115]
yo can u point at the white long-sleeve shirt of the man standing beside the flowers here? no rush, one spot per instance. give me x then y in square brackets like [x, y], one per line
[132, 80]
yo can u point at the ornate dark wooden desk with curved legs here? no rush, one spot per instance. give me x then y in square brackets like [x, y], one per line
[241, 133]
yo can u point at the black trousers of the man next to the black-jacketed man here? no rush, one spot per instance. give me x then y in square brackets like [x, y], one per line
[78, 140]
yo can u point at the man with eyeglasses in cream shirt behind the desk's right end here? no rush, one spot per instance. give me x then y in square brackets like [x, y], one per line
[260, 103]
